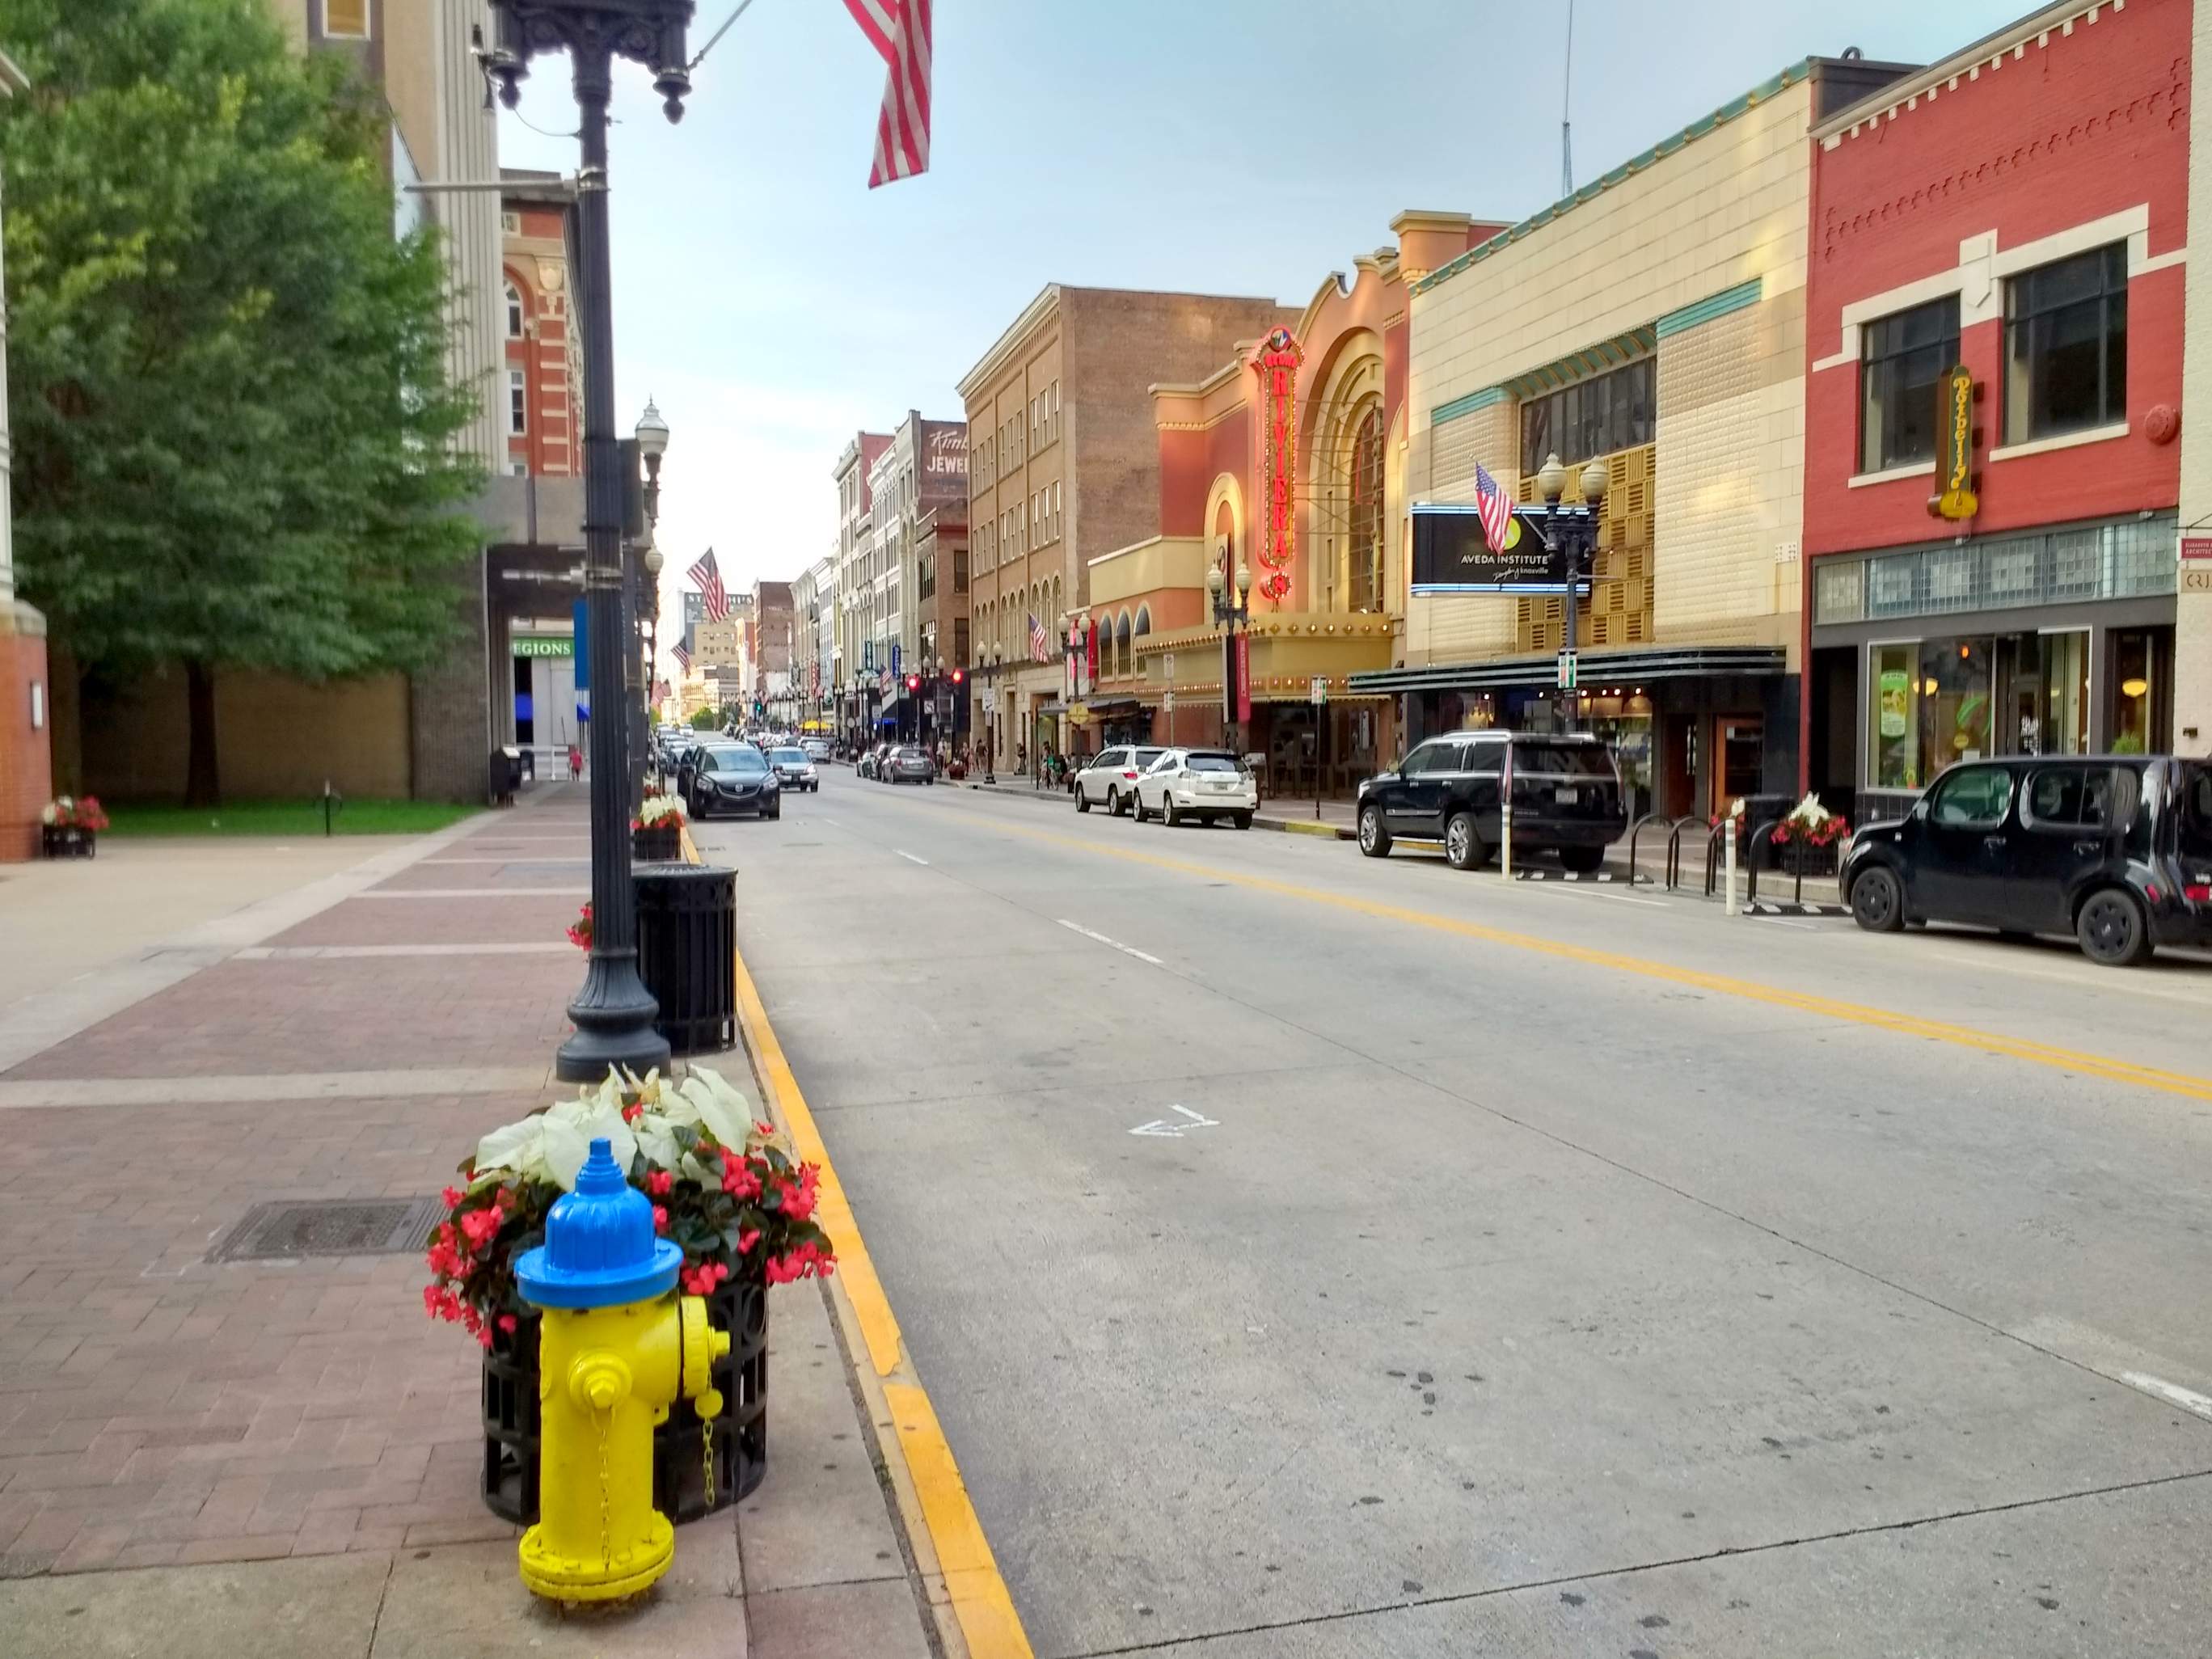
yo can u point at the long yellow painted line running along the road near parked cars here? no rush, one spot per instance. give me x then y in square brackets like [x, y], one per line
[1906, 1025]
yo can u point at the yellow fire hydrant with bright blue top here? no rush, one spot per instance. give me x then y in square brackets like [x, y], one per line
[614, 1355]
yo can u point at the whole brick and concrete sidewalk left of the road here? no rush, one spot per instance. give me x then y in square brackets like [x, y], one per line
[284, 1457]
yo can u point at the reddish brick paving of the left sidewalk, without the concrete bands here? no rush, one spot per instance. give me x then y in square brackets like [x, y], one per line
[158, 1408]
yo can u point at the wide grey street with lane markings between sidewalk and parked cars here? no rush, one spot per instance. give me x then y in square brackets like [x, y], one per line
[1315, 1255]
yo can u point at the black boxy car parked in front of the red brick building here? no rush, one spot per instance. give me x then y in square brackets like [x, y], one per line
[2109, 848]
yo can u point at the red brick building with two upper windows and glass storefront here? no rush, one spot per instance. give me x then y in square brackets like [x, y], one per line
[1994, 340]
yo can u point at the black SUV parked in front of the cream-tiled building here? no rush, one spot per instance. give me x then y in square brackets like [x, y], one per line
[1567, 800]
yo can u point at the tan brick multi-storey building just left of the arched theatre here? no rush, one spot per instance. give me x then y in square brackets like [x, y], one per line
[1065, 468]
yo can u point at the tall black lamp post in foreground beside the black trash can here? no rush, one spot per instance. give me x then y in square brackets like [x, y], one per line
[612, 1012]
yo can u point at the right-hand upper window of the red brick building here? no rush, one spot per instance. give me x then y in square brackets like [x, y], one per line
[2067, 346]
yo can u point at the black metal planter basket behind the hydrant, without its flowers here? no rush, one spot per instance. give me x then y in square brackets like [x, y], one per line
[698, 1468]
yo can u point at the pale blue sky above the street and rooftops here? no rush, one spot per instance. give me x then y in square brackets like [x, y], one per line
[775, 306]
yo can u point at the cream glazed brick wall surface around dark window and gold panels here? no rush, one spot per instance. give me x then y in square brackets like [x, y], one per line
[1698, 253]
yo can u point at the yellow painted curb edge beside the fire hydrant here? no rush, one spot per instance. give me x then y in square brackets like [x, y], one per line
[963, 1556]
